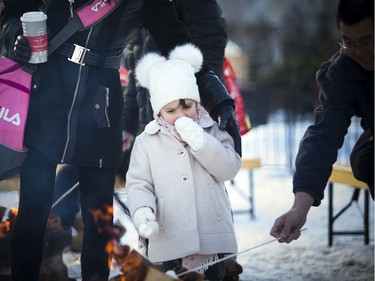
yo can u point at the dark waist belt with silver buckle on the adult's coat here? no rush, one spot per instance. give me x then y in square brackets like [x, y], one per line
[83, 56]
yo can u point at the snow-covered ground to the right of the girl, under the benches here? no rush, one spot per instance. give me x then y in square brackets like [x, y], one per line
[308, 258]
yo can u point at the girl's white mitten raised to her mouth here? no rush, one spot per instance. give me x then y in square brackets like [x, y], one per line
[191, 132]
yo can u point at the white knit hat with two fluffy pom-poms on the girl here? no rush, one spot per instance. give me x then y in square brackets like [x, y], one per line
[170, 79]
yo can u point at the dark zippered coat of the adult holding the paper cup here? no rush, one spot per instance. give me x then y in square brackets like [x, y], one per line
[75, 111]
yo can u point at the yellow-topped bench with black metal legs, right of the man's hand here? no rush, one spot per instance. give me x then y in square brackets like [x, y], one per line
[342, 174]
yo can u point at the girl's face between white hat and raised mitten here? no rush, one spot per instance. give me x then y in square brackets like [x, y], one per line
[179, 108]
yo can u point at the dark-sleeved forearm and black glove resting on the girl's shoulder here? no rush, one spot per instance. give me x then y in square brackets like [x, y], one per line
[219, 104]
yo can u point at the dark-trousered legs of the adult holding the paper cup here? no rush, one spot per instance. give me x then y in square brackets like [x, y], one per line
[36, 195]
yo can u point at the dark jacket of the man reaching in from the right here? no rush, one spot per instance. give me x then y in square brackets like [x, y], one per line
[346, 90]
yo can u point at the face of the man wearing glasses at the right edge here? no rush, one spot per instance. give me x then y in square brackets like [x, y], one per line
[358, 42]
